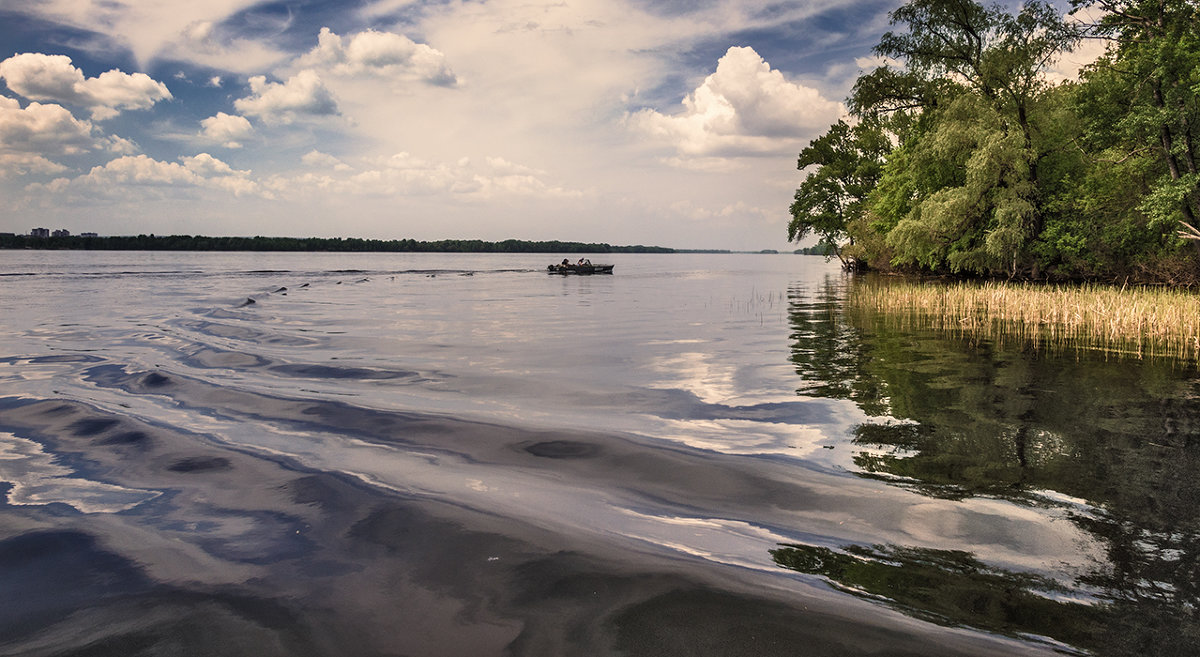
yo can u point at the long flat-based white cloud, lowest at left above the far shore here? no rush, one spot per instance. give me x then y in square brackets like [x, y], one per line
[119, 177]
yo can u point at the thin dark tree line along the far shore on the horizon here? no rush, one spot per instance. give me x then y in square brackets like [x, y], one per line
[201, 243]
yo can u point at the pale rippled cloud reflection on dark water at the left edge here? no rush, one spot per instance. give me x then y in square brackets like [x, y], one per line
[38, 480]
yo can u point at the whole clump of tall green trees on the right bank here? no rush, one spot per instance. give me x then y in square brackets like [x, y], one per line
[962, 158]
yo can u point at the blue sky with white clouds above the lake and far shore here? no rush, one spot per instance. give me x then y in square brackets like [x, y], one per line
[669, 123]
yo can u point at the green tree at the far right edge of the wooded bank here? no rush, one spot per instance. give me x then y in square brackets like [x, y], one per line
[1142, 113]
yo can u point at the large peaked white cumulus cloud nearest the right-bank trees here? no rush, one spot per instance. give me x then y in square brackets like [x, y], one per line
[743, 109]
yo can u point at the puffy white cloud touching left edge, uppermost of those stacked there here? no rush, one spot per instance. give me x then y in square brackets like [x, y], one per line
[40, 77]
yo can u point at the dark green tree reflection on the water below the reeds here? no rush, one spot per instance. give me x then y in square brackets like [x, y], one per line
[962, 419]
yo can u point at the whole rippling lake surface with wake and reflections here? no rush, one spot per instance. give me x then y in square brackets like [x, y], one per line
[460, 455]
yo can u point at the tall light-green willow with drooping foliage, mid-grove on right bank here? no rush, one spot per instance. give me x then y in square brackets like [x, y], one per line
[979, 74]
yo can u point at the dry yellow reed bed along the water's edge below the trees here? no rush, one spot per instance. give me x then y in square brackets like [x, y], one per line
[1135, 322]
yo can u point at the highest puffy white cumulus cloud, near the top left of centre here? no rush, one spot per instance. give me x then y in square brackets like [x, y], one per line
[374, 53]
